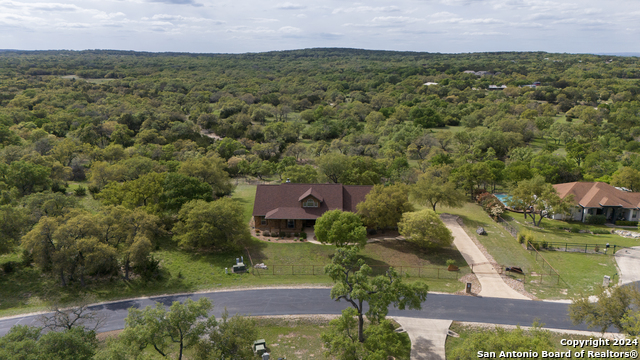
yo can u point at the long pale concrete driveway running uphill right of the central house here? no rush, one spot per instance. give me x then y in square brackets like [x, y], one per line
[491, 282]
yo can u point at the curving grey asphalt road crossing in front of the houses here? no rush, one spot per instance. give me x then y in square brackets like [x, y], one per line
[318, 301]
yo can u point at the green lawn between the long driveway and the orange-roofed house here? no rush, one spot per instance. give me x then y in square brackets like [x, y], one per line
[580, 273]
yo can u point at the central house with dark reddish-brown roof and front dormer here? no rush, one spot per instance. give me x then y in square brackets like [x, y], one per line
[291, 207]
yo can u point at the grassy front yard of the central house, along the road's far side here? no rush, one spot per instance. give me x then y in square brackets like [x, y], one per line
[183, 271]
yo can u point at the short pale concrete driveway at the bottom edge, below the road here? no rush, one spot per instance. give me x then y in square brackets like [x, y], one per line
[428, 337]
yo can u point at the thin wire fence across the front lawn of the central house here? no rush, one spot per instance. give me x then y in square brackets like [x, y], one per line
[429, 272]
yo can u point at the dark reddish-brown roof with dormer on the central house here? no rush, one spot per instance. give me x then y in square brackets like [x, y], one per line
[283, 201]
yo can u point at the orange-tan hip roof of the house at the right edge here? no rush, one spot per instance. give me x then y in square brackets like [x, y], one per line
[598, 194]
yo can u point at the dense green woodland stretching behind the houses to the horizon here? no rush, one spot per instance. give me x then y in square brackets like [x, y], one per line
[108, 156]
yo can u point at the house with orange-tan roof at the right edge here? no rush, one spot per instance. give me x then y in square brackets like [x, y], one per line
[598, 198]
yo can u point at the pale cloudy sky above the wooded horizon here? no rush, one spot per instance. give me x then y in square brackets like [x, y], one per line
[240, 26]
